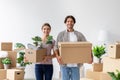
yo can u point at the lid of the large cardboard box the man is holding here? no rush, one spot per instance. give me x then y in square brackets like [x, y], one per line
[74, 44]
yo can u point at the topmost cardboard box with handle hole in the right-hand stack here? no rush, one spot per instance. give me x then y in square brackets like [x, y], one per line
[114, 51]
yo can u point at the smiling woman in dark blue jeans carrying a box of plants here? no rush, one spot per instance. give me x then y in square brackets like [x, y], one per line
[44, 69]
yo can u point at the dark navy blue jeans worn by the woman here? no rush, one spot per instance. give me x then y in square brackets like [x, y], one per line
[43, 72]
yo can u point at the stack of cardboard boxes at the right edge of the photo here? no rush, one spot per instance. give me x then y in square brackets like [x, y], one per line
[110, 64]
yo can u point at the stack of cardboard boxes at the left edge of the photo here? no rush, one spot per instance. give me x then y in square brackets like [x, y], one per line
[13, 73]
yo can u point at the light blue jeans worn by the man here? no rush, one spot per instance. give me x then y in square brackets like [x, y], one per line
[70, 73]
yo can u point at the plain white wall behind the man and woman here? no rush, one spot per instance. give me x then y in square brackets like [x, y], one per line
[22, 19]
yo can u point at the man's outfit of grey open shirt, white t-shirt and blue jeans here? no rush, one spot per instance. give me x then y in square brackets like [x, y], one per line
[70, 71]
